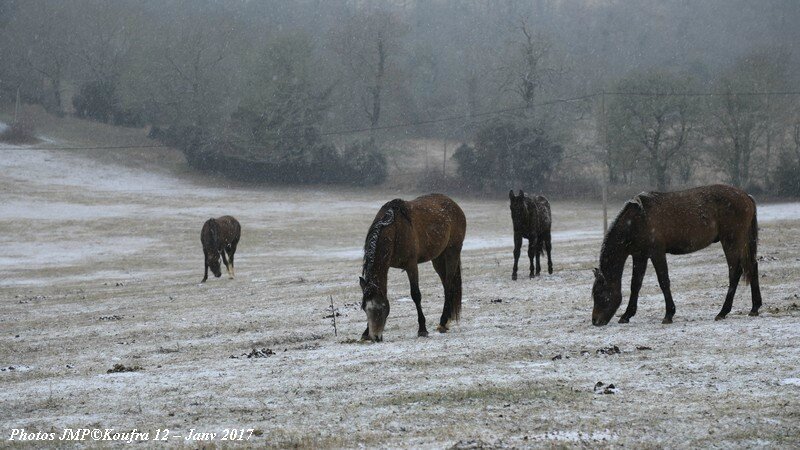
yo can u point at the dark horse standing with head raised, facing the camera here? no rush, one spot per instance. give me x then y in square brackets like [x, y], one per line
[532, 220]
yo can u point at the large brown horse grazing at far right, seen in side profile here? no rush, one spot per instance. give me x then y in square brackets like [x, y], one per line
[654, 224]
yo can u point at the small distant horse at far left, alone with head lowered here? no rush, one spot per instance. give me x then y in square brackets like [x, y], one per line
[219, 236]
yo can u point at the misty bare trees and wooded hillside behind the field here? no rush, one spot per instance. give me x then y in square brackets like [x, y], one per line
[249, 88]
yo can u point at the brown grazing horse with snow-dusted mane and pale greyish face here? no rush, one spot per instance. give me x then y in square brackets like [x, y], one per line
[404, 234]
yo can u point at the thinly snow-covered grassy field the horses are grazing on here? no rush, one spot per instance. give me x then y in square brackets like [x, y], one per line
[101, 266]
